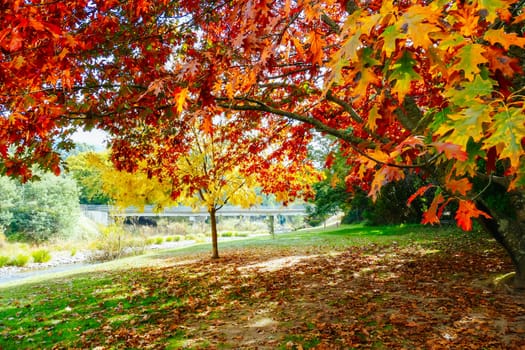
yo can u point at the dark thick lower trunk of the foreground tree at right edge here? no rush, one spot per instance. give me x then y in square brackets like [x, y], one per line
[509, 230]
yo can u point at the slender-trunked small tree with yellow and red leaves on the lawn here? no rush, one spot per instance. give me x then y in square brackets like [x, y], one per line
[225, 164]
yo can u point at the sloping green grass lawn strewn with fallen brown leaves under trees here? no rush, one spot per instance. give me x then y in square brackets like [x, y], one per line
[344, 287]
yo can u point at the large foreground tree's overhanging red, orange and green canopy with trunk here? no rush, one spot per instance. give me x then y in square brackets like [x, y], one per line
[411, 86]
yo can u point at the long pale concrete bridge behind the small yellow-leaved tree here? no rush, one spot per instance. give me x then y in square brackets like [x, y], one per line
[103, 214]
